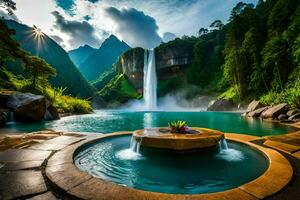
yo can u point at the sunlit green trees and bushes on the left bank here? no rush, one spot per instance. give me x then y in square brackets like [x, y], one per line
[35, 74]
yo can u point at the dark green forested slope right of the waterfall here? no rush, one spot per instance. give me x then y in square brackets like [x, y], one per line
[256, 55]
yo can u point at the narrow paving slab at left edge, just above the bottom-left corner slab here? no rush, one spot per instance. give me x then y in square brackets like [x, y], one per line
[12, 166]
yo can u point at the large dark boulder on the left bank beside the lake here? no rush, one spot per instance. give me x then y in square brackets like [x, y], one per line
[27, 107]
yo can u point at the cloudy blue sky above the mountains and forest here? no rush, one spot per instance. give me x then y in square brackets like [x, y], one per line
[143, 23]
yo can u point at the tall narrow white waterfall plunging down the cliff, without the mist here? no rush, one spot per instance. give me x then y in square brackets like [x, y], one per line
[150, 80]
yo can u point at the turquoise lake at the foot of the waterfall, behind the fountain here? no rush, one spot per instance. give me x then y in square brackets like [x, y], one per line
[106, 121]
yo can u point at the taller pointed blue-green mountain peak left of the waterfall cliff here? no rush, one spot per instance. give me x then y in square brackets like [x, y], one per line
[103, 58]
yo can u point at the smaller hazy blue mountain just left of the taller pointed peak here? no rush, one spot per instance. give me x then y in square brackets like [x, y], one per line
[80, 54]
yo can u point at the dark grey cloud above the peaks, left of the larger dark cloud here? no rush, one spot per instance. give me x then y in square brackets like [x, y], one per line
[79, 32]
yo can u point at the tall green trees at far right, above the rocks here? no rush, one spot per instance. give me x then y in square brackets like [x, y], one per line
[261, 52]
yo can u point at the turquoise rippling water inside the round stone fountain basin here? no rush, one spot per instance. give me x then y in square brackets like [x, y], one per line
[190, 173]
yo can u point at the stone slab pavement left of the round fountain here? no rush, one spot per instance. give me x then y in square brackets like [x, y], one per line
[22, 163]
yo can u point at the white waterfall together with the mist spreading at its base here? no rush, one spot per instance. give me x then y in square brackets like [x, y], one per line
[174, 101]
